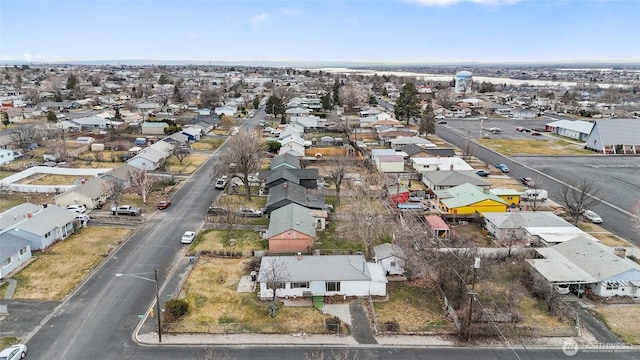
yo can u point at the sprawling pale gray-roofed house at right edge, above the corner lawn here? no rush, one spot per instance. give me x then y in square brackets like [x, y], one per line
[589, 265]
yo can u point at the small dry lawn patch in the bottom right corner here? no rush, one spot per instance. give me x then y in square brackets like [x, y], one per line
[623, 320]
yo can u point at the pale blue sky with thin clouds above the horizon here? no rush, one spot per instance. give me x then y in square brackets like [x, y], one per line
[416, 31]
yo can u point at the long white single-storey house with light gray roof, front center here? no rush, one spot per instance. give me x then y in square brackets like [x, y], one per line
[320, 275]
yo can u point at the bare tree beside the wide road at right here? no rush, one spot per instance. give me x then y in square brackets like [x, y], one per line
[578, 196]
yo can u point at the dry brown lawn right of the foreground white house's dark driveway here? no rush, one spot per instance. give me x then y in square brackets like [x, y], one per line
[412, 306]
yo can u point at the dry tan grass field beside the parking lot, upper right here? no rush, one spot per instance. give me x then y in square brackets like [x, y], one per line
[550, 146]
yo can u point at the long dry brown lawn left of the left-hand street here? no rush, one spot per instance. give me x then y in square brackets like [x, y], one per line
[55, 273]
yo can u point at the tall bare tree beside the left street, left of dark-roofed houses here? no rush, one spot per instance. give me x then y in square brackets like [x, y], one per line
[245, 151]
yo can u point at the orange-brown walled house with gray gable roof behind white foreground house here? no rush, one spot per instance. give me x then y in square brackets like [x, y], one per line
[292, 228]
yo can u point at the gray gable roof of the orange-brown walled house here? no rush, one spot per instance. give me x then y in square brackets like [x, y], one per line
[291, 217]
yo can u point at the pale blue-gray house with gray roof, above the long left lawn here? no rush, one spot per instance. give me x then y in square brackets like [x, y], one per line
[45, 227]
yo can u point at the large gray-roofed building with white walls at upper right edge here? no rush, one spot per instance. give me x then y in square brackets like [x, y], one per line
[615, 136]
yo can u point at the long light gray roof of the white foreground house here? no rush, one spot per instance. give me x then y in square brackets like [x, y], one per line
[317, 268]
